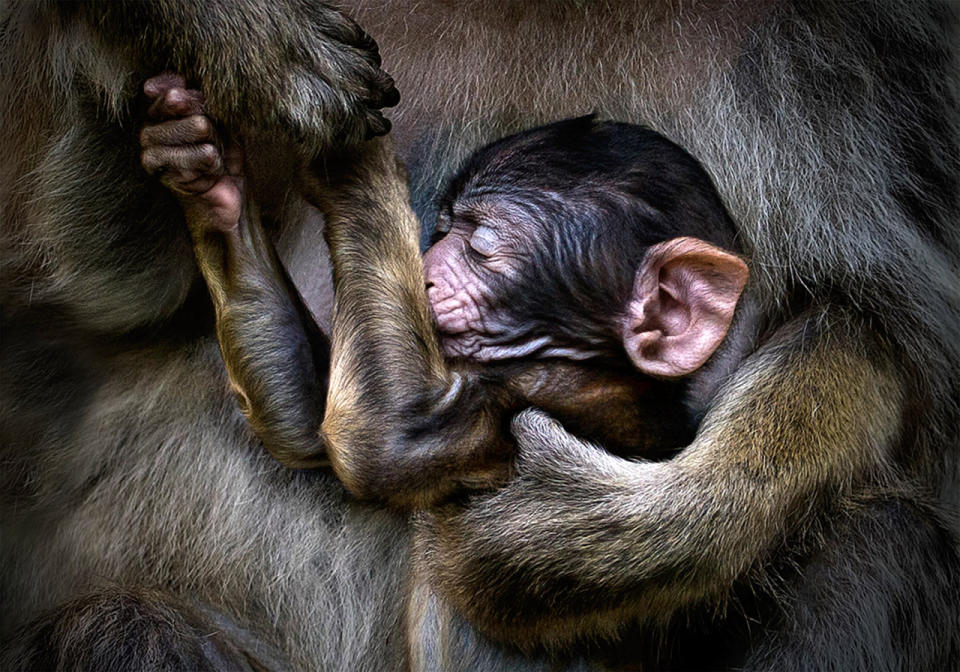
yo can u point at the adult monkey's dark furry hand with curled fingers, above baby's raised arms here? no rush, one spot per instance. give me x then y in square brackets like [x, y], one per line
[313, 77]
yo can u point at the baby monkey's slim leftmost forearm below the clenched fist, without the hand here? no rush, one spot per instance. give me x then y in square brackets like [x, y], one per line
[276, 357]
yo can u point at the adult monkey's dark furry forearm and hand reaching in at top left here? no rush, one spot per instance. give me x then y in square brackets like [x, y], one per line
[302, 70]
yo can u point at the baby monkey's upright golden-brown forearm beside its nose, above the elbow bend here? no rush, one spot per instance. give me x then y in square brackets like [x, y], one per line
[382, 324]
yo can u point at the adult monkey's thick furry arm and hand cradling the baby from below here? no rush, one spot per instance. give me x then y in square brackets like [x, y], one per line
[581, 542]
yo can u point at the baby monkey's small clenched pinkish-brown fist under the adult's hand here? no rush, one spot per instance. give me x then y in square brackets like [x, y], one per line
[181, 146]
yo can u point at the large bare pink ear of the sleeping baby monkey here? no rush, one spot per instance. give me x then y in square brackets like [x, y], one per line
[684, 295]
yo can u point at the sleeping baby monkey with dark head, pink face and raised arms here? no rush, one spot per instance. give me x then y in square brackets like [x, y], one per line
[587, 268]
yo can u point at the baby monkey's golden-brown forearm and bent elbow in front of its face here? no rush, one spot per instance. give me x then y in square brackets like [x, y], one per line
[399, 425]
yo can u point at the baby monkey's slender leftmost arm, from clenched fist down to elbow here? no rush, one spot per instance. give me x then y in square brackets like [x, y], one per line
[274, 354]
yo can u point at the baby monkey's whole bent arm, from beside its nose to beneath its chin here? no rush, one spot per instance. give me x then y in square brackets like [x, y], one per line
[402, 425]
